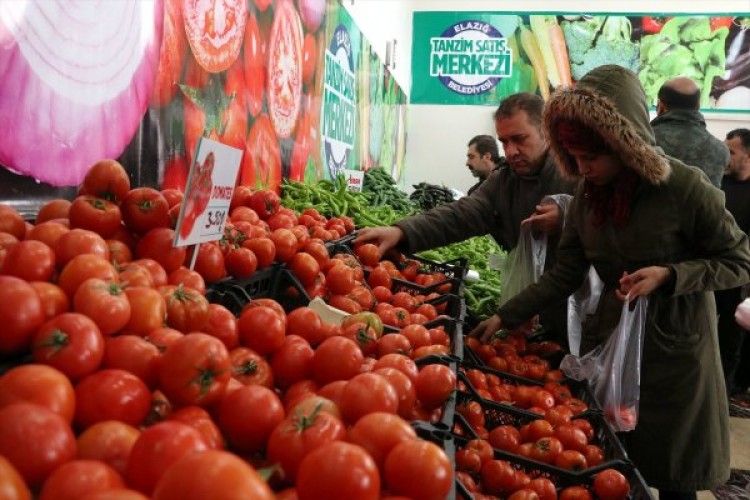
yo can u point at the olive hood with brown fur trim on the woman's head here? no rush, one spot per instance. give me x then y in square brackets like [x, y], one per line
[610, 100]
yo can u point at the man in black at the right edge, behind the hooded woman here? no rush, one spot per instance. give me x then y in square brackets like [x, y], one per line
[736, 187]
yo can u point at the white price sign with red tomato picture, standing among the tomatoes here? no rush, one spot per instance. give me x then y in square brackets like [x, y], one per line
[210, 185]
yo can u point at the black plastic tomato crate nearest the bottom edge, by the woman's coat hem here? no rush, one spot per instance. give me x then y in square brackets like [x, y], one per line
[562, 478]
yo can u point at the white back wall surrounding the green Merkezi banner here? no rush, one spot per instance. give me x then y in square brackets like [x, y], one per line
[437, 135]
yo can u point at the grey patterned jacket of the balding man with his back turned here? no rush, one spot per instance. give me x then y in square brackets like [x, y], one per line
[683, 135]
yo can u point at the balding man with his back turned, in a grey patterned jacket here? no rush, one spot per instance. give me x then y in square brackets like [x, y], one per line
[680, 129]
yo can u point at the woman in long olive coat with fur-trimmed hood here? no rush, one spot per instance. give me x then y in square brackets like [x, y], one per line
[649, 225]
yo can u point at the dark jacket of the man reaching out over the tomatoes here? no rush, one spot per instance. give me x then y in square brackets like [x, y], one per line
[496, 208]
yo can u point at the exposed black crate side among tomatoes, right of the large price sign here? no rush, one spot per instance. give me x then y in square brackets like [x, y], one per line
[274, 282]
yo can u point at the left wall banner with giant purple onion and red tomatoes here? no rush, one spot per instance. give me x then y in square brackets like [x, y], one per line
[293, 83]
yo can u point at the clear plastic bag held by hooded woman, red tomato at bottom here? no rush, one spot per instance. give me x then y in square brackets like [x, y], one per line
[614, 368]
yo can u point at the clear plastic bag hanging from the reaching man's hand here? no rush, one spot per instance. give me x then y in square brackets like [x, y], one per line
[524, 264]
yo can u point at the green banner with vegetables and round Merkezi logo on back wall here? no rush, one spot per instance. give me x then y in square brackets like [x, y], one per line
[481, 57]
